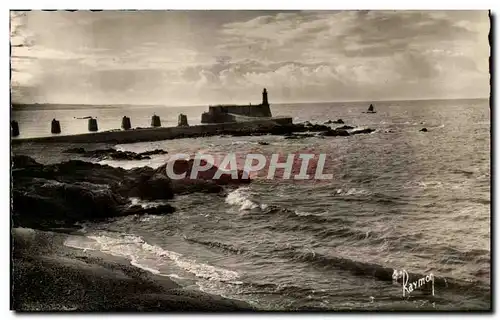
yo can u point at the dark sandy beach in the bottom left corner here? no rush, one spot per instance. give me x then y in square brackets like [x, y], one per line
[50, 276]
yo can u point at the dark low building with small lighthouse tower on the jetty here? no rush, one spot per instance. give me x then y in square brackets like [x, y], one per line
[235, 113]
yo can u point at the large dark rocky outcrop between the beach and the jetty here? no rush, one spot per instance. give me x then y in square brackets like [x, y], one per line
[64, 193]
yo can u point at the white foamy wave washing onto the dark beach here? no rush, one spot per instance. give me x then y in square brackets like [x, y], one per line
[140, 252]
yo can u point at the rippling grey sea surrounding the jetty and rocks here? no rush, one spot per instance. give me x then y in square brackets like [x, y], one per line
[400, 199]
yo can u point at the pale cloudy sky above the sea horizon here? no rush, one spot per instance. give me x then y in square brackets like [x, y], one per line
[206, 57]
